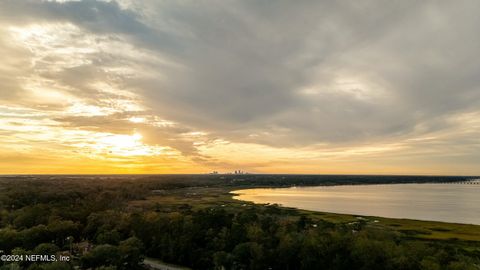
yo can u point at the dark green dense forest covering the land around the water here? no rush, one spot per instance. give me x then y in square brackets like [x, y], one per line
[114, 222]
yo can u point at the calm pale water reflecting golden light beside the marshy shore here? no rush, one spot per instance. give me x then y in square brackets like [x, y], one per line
[457, 203]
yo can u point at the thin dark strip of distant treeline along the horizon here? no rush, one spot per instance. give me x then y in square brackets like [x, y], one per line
[256, 180]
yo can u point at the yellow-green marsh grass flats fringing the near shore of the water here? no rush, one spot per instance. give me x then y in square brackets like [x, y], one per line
[204, 197]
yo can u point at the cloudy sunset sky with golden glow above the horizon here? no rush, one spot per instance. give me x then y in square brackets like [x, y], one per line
[153, 86]
